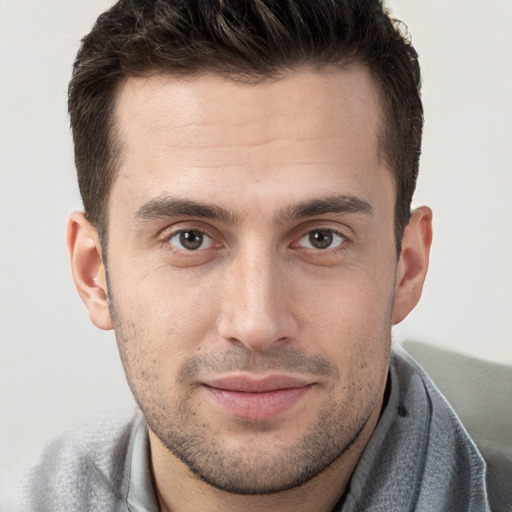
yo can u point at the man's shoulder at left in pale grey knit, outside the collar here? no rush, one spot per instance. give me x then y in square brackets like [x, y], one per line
[84, 469]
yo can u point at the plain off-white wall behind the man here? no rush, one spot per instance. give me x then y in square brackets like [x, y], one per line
[56, 368]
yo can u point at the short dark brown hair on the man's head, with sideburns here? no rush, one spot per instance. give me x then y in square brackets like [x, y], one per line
[249, 40]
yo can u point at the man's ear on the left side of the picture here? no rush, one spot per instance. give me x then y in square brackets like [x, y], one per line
[88, 268]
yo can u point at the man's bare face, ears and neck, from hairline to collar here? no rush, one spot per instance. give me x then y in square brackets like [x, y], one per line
[269, 290]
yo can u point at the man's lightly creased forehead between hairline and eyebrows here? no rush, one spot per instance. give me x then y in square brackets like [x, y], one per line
[212, 131]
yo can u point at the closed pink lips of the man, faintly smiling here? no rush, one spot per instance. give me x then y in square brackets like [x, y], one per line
[256, 399]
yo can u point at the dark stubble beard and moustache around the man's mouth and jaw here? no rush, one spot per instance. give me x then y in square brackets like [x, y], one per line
[243, 468]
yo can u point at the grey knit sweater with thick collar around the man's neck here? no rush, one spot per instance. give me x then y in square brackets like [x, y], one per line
[419, 458]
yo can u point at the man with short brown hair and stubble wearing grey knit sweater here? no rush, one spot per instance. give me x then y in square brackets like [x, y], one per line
[247, 169]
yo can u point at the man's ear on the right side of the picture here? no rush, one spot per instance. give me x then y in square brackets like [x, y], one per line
[413, 263]
